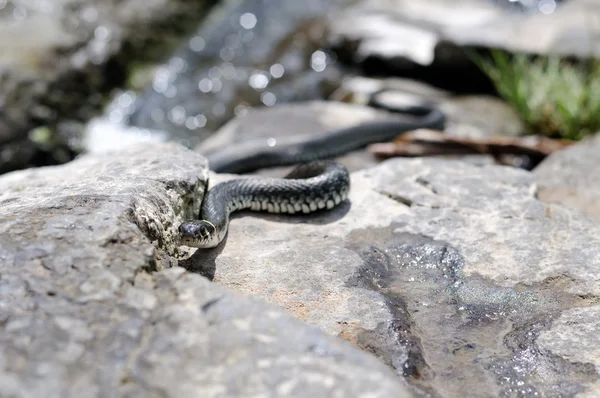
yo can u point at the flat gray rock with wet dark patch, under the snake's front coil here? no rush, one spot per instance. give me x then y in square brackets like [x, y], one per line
[449, 272]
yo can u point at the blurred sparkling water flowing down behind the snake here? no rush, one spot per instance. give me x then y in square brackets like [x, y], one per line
[250, 53]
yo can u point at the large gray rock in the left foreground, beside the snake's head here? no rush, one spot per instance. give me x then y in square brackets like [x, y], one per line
[82, 313]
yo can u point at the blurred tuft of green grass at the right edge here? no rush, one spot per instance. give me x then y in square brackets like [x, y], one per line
[554, 97]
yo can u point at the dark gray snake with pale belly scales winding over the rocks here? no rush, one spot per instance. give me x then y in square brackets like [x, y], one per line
[317, 183]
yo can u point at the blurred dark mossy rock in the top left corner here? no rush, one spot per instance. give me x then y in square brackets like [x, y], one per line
[60, 59]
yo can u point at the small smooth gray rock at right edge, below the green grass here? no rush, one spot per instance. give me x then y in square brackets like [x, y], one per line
[570, 177]
